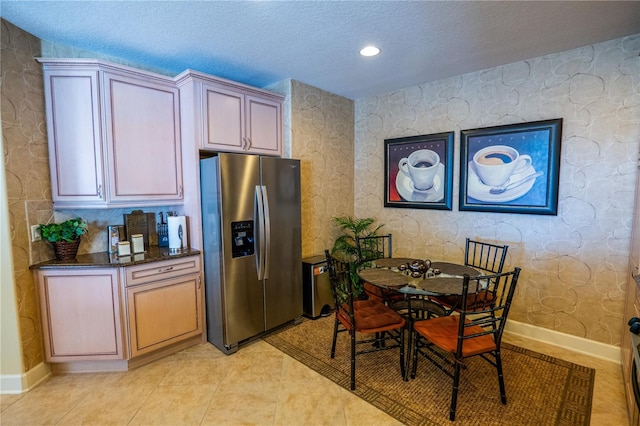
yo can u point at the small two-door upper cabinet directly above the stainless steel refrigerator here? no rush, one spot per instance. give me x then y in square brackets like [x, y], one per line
[228, 116]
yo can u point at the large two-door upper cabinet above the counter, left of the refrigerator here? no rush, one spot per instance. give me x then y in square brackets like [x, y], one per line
[114, 135]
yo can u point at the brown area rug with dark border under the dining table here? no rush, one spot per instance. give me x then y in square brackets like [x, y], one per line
[541, 390]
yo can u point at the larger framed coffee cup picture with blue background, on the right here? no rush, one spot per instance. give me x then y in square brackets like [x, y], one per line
[540, 141]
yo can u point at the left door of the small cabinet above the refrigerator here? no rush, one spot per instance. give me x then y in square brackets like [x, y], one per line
[223, 119]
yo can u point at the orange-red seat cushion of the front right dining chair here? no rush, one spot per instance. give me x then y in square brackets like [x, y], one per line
[443, 332]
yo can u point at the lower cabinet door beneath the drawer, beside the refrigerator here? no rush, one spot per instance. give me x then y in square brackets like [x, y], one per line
[163, 313]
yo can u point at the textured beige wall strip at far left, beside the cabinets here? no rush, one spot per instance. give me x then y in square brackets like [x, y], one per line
[26, 170]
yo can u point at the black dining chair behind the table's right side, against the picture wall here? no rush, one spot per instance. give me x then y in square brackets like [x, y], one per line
[486, 257]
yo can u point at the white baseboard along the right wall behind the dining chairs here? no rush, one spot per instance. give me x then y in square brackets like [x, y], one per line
[565, 341]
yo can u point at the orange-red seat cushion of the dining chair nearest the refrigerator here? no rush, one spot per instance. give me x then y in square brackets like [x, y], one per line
[371, 316]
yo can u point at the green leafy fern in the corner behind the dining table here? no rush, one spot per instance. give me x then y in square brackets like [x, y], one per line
[345, 246]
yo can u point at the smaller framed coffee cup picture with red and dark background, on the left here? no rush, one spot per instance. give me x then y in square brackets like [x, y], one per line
[419, 171]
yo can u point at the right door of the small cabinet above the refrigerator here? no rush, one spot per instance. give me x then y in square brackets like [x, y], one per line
[264, 126]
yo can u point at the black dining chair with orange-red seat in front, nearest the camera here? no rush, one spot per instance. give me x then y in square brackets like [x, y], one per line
[448, 341]
